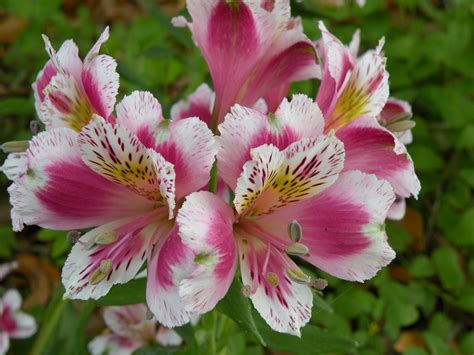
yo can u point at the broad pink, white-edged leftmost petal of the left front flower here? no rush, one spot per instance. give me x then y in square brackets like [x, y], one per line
[60, 192]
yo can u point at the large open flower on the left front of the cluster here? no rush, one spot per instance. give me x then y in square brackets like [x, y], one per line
[123, 179]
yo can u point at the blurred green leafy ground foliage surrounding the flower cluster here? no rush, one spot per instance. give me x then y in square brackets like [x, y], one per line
[423, 303]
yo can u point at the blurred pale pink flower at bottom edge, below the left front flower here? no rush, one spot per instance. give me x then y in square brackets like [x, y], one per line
[129, 328]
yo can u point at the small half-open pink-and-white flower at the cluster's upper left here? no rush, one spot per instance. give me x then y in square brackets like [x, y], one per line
[69, 91]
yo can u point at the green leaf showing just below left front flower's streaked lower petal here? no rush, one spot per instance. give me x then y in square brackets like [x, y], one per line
[132, 292]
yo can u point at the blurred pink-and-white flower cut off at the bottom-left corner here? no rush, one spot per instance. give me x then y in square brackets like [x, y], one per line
[13, 322]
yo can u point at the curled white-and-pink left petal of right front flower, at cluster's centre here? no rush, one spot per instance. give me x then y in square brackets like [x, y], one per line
[205, 226]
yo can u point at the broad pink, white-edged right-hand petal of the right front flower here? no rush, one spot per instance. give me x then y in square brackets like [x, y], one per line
[343, 226]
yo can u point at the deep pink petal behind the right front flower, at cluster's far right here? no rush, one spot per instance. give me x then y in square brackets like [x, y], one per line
[374, 150]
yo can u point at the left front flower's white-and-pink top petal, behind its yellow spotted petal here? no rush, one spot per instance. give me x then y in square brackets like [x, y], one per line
[188, 144]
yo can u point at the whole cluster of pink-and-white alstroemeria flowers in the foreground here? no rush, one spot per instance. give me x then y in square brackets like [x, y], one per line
[297, 179]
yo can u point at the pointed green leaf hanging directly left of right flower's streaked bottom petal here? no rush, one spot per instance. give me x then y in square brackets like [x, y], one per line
[238, 308]
